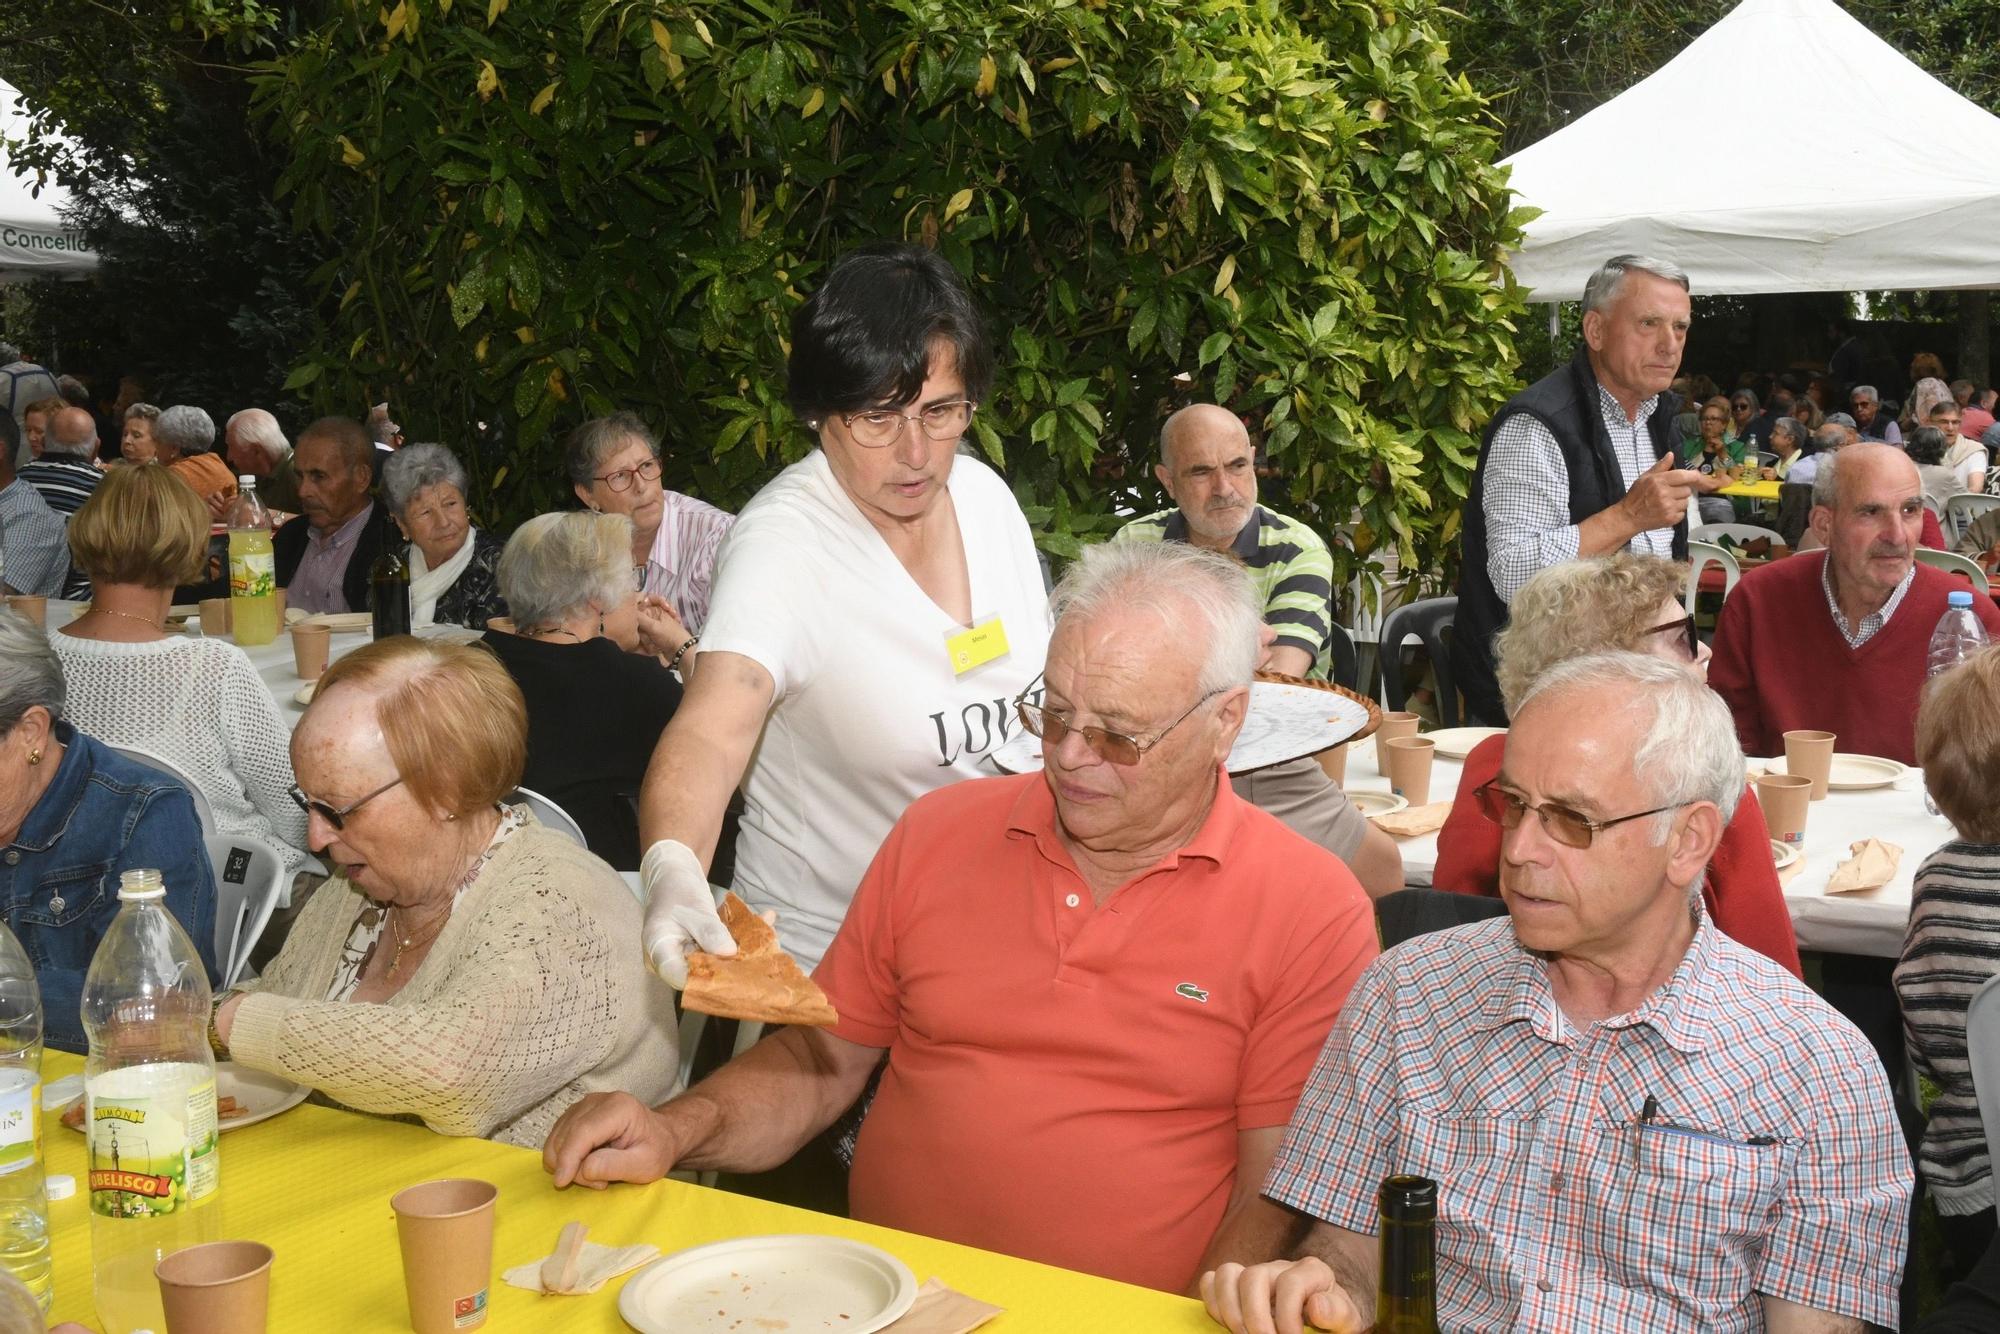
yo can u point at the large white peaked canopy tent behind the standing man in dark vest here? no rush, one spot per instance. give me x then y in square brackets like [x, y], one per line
[1903, 193]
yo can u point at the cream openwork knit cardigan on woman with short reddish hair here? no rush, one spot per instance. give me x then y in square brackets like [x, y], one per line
[533, 995]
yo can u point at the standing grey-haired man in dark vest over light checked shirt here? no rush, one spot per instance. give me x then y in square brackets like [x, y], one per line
[1579, 465]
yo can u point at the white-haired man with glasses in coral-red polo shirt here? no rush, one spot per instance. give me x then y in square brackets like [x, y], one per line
[1099, 989]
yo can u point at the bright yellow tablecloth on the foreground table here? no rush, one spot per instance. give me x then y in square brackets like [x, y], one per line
[315, 1187]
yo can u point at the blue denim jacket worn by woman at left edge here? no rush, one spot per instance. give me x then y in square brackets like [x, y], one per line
[59, 879]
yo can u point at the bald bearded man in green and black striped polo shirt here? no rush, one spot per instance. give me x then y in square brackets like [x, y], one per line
[1209, 471]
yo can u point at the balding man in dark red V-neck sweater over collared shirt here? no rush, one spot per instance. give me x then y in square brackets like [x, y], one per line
[1837, 641]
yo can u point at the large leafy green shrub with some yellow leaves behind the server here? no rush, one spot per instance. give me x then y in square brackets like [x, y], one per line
[541, 211]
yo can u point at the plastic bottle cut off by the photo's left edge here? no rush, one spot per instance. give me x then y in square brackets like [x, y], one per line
[23, 1203]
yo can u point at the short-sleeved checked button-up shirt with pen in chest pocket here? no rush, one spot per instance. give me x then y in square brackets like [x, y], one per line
[1771, 1163]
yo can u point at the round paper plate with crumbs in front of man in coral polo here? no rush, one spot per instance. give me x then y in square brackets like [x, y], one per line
[769, 1283]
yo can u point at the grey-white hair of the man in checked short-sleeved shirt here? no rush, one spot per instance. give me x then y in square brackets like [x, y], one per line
[1689, 751]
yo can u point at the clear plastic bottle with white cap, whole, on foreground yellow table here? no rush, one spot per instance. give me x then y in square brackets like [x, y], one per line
[151, 1105]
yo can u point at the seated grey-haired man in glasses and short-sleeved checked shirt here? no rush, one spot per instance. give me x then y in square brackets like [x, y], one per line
[1633, 1121]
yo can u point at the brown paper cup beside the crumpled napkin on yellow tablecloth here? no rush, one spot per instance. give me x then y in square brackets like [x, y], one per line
[447, 1233]
